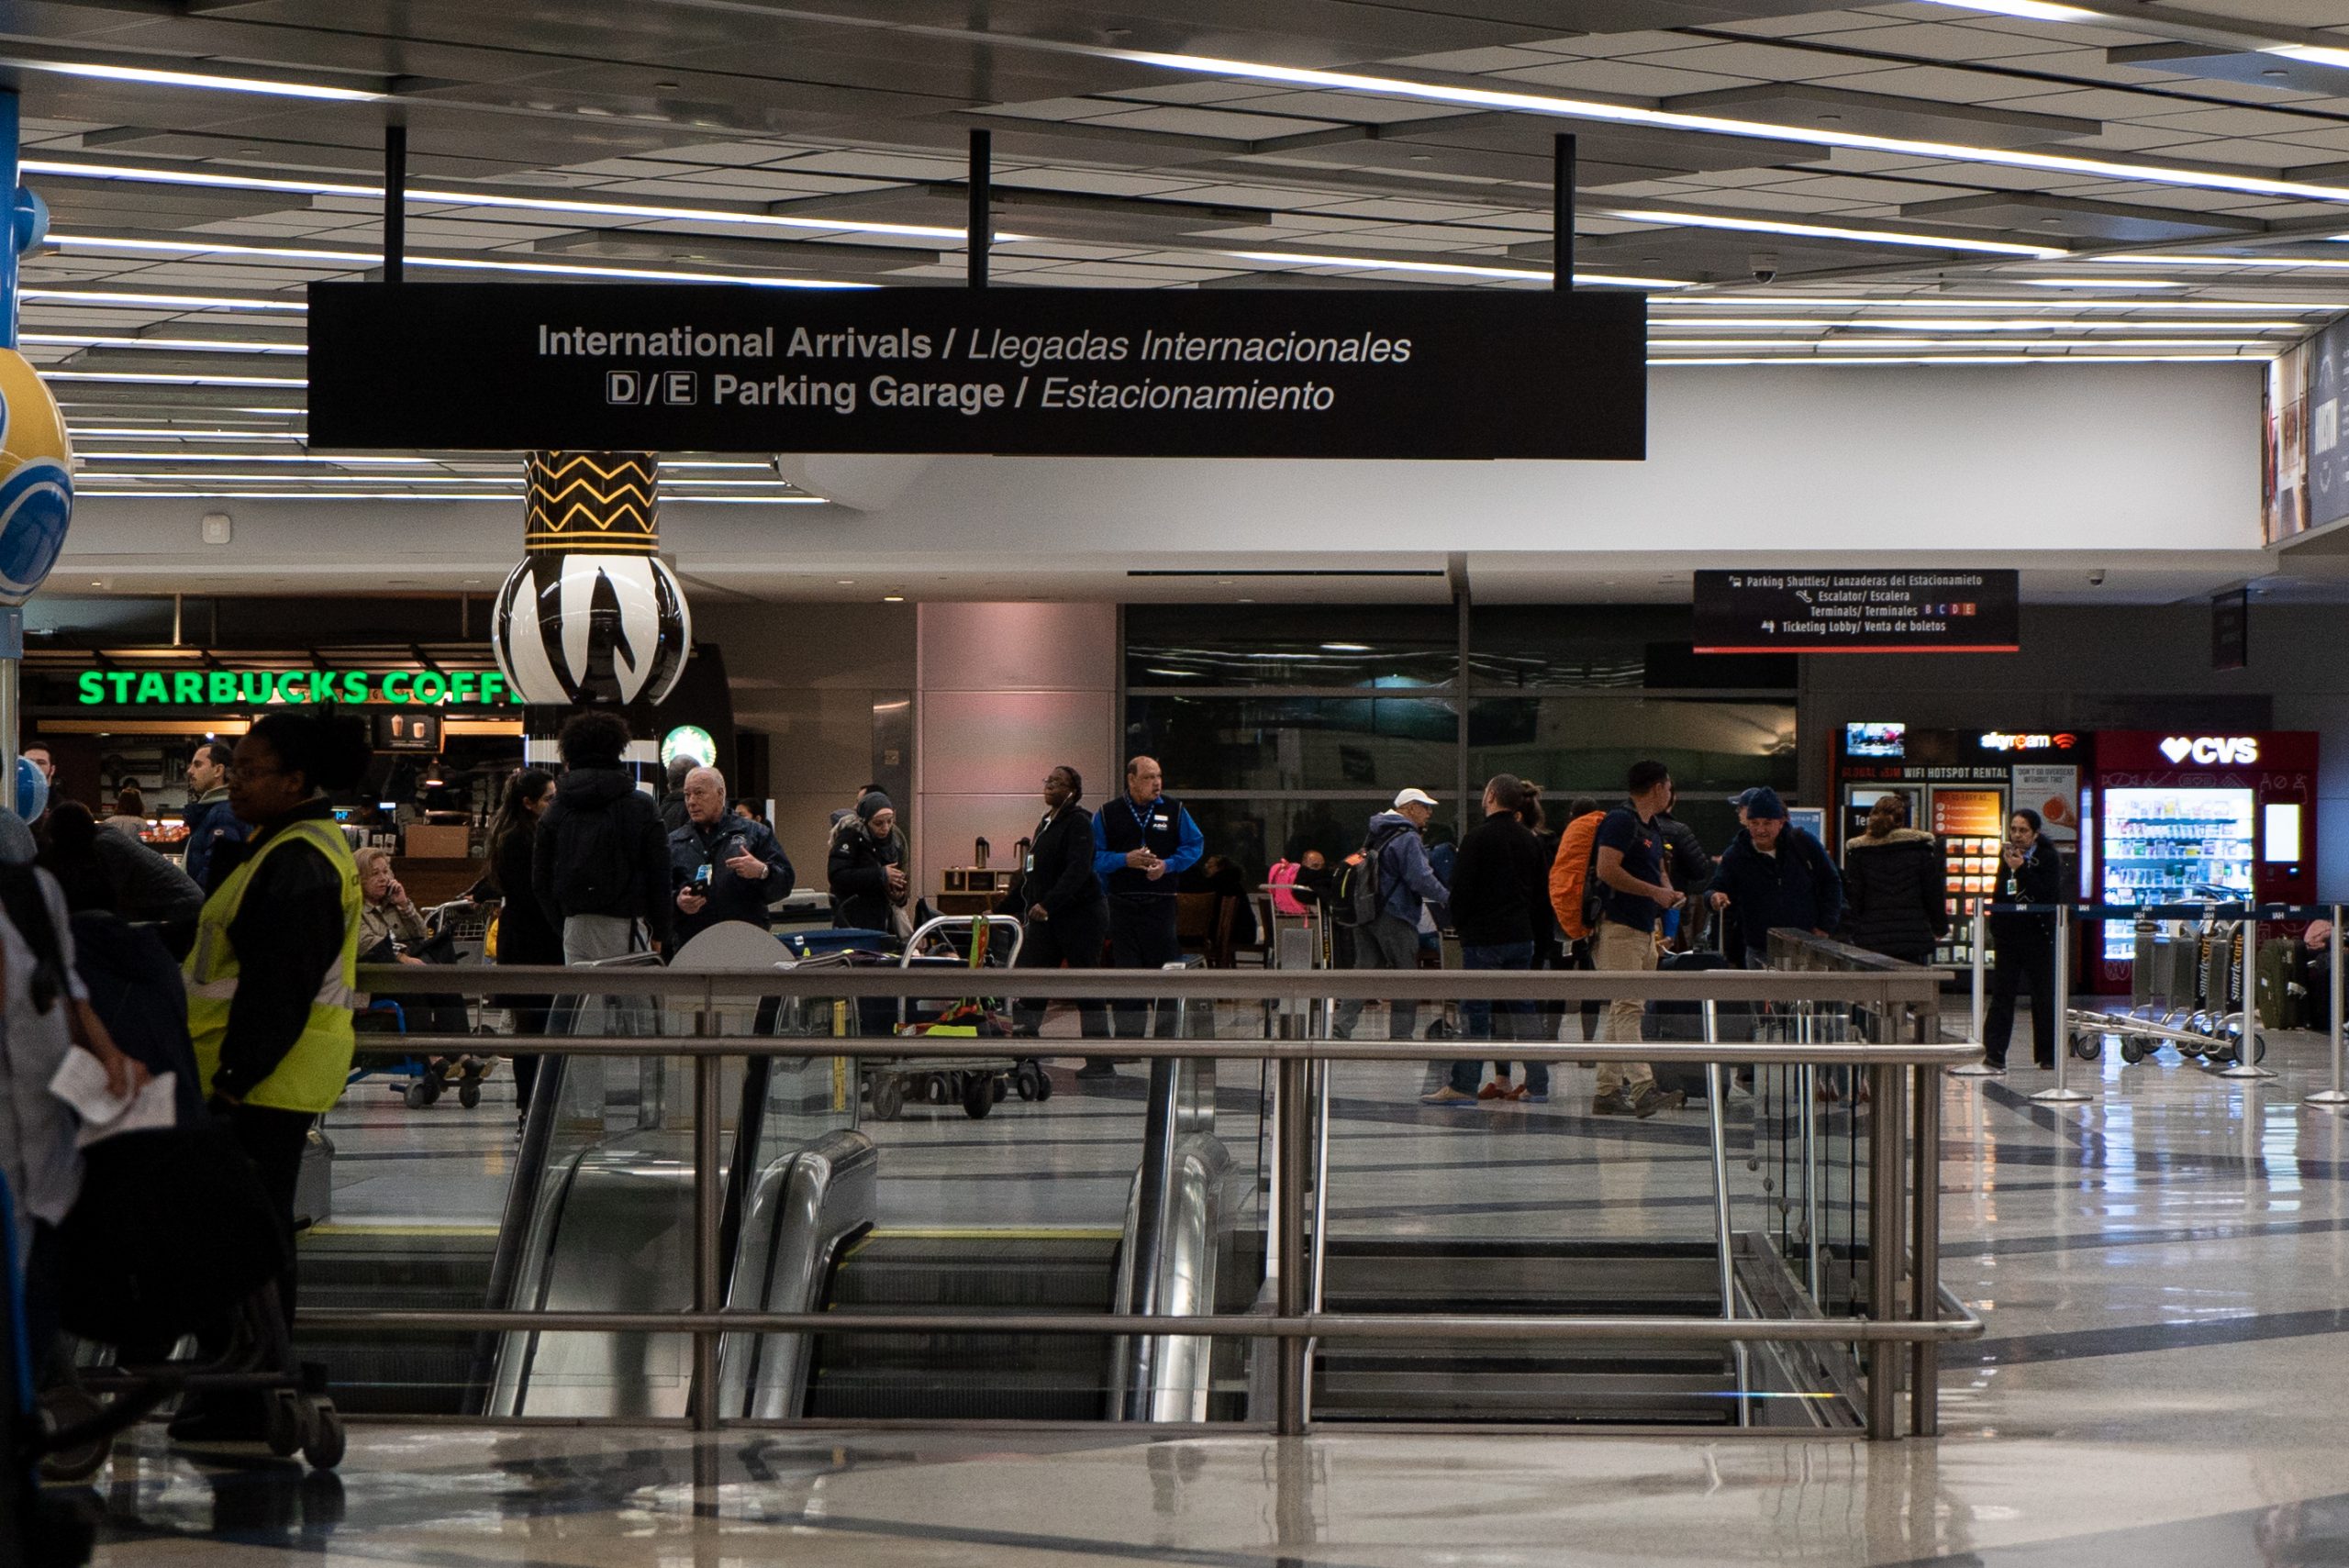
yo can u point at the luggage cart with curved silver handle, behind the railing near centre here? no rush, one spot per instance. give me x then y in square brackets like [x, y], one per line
[978, 1083]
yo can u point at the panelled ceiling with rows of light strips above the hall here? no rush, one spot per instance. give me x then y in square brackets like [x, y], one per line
[1916, 182]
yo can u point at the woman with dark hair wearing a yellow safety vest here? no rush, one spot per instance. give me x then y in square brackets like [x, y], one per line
[276, 964]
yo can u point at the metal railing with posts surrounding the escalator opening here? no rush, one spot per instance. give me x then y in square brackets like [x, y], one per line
[1906, 1302]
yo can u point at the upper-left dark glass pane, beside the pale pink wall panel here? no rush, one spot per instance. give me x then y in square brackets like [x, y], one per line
[1185, 644]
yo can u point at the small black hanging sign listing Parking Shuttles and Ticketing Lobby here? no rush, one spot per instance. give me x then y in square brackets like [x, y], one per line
[1909, 611]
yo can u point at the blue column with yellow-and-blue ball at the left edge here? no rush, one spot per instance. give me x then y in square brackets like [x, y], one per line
[36, 459]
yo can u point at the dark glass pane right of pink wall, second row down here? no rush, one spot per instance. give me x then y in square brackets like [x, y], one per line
[1298, 743]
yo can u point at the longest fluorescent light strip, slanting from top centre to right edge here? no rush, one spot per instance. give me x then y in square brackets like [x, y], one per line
[1721, 126]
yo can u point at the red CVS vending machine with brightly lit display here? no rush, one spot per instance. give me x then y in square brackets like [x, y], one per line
[2200, 818]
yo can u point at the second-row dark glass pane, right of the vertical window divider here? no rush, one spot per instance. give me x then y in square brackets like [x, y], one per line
[1587, 745]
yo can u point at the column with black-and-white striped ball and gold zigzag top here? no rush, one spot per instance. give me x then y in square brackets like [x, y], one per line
[593, 616]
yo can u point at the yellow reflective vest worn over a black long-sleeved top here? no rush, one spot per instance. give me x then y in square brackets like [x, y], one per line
[311, 1076]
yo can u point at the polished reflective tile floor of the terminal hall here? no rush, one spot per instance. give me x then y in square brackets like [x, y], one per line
[2162, 1381]
